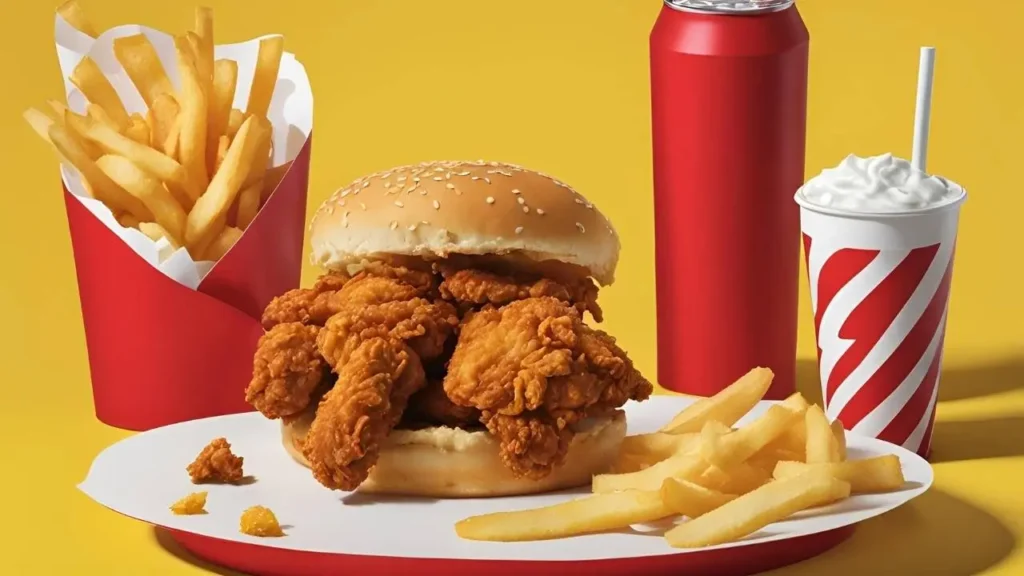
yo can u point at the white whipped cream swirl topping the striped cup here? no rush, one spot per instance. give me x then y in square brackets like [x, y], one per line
[878, 184]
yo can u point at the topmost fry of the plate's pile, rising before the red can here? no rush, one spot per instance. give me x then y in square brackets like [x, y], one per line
[727, 406]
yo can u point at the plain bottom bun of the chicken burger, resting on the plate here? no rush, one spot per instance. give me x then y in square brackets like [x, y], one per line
[448, 463]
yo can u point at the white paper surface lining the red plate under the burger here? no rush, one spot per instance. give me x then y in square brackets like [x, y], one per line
[141, 477]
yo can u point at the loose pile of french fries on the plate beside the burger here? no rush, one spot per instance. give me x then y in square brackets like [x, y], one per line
[721, 483]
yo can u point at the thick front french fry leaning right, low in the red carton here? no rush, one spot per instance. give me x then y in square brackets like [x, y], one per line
[226, 184]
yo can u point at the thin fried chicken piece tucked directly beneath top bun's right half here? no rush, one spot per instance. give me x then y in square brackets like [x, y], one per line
[479, 287]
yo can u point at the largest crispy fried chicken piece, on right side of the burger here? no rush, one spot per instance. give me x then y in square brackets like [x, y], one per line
[535, 365]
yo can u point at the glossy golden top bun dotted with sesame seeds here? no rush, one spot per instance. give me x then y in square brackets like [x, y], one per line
[435, 211]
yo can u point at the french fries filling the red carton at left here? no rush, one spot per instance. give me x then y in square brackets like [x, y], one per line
[193, 170]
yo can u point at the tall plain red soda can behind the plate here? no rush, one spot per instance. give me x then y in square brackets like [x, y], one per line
[730, 113]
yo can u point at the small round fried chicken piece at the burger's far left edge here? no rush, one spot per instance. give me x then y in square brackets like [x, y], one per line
[287, 368]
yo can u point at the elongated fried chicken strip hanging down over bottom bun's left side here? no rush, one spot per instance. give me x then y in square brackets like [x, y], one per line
[373, 389]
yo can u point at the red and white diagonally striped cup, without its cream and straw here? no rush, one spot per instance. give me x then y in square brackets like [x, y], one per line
[880, 291]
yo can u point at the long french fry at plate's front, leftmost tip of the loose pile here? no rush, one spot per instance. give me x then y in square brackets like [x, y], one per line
[593, 514]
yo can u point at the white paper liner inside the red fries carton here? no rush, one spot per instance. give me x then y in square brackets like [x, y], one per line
[290, 113]
